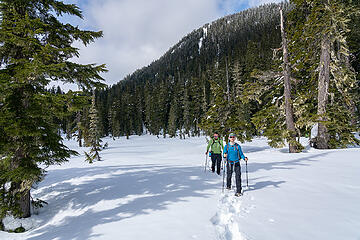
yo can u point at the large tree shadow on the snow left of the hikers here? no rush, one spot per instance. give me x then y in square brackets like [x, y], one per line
[129, 190]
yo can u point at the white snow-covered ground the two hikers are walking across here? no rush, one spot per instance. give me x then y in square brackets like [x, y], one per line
[150, 188]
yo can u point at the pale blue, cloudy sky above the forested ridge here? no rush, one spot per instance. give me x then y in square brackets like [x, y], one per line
[137, 32]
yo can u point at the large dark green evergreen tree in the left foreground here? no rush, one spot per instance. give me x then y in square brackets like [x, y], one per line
[35, 47]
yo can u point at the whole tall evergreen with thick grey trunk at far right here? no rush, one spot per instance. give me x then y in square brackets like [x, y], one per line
[324, 26]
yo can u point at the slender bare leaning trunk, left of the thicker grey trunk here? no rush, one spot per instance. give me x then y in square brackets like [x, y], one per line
[290, 125]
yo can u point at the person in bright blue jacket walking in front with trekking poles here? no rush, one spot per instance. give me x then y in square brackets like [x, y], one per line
[233, 154]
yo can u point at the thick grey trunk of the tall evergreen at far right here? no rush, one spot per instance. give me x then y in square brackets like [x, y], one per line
[323, 92]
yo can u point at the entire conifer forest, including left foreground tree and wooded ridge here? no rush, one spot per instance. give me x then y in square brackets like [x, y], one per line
[279, 70]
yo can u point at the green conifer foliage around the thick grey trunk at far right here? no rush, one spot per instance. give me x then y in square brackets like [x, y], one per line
[308, 21]
